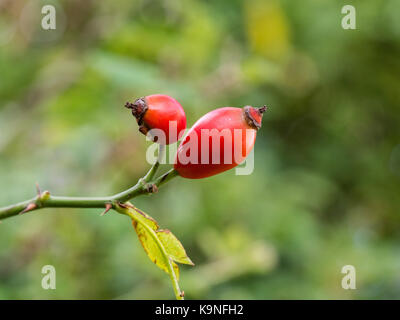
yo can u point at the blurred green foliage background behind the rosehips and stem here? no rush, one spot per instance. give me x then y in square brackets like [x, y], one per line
[325, 189]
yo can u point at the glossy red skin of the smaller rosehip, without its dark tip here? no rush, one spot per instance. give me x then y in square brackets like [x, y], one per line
[161, 110]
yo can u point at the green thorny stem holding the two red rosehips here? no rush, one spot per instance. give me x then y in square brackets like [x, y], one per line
[145, 185]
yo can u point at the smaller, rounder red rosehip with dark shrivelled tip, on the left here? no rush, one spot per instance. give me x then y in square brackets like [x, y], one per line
[159, 111]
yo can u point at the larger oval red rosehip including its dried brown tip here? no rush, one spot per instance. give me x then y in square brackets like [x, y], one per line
[234, 133]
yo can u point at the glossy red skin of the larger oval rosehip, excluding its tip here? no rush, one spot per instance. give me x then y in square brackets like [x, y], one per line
[223, 118]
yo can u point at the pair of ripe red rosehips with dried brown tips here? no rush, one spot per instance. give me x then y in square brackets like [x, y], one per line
[234, 129]
